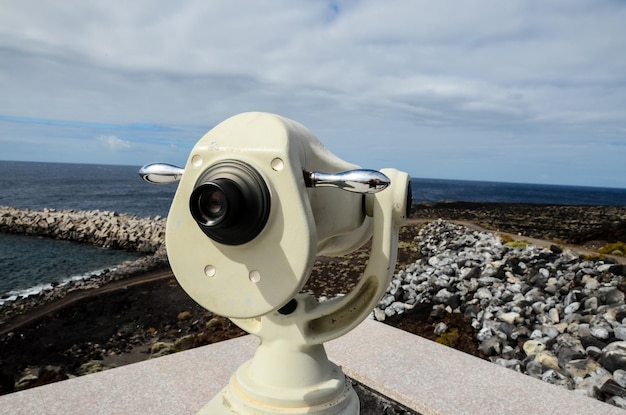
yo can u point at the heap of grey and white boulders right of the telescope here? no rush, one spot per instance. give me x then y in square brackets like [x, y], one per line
[549, 313]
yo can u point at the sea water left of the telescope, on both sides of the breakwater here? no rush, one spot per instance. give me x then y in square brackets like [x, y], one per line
[29, 264]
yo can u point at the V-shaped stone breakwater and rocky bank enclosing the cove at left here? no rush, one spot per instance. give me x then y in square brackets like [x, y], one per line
[101, 228]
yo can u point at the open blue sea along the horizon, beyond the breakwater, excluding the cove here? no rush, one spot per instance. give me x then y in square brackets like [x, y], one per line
[81, 186]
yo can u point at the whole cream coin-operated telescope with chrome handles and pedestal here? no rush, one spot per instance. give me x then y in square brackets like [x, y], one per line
[258, 200]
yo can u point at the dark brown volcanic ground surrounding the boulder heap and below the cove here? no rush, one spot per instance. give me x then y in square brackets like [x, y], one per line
[119, 327]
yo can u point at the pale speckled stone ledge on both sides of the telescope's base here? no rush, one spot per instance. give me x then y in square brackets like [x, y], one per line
[420, 374]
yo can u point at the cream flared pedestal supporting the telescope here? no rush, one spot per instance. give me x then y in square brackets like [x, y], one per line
[285, 376]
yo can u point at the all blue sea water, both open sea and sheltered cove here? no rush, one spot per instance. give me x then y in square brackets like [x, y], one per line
[28, 264]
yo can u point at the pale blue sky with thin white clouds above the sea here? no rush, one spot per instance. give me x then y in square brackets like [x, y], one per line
[514, 91]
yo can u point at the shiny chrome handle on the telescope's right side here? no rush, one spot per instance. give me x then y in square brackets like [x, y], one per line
[356, 181]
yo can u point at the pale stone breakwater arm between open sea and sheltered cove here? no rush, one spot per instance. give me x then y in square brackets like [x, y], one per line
[107, 229]
